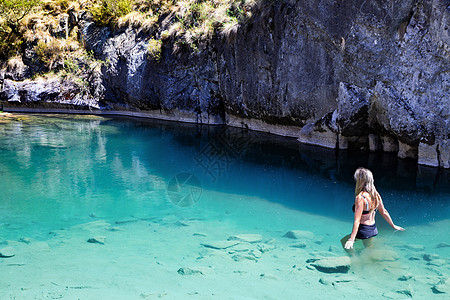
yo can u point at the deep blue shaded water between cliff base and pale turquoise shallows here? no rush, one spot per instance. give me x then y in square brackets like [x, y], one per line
[308, 178]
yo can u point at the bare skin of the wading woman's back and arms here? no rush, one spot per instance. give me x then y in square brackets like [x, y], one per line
[368, 219]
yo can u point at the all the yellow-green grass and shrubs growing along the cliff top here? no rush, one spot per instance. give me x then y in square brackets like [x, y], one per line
[36, 25]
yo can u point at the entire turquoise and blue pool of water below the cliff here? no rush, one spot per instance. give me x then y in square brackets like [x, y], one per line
[156, 194]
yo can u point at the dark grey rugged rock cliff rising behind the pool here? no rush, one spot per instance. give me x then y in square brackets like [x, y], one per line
[371, 75]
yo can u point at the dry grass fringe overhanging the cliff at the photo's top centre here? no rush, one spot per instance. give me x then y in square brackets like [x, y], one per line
[188, 22]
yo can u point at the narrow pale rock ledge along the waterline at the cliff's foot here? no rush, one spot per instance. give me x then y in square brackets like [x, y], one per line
[427, 155]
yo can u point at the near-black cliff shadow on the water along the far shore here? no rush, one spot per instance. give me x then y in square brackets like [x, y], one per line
[389, 171]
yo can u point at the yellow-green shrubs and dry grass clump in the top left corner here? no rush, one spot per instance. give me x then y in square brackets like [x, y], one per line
[52, 49]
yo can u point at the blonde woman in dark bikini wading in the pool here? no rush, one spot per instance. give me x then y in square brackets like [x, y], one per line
[367, 202]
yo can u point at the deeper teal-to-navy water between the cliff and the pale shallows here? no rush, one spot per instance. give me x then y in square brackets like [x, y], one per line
[59, 171]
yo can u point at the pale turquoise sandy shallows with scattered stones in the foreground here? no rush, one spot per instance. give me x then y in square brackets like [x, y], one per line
[227, 247]
